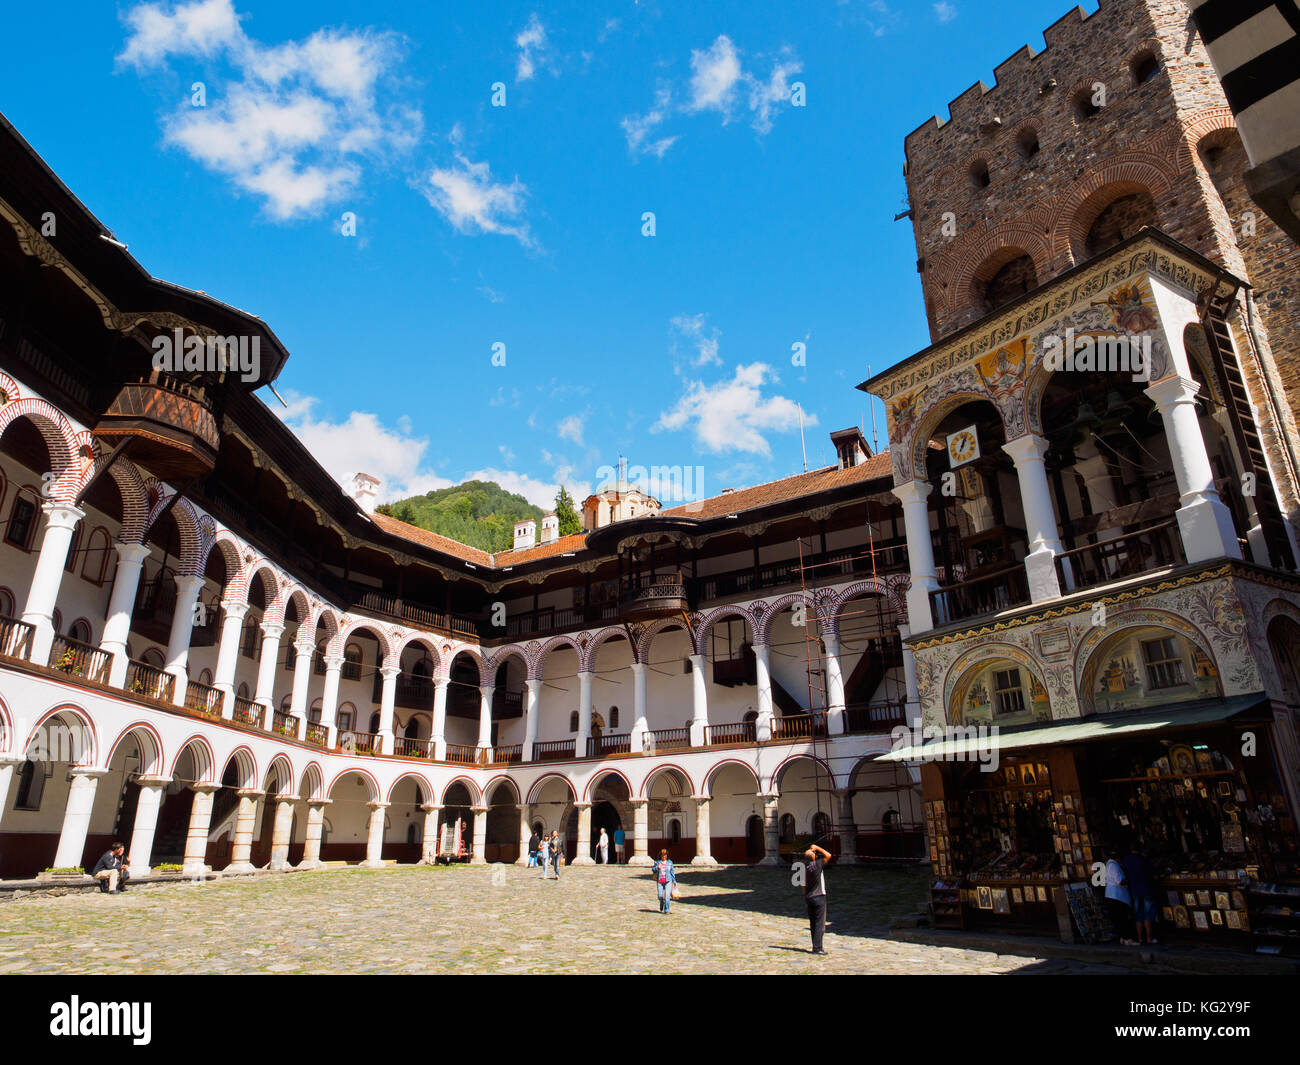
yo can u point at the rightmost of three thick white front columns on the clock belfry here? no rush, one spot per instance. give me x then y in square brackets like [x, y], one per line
[1203, 521]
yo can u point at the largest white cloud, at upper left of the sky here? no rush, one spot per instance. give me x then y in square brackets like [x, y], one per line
[292, 123]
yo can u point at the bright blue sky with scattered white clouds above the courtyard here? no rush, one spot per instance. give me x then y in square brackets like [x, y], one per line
[523, 226]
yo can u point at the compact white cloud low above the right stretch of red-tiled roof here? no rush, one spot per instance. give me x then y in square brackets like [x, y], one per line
[734, 415]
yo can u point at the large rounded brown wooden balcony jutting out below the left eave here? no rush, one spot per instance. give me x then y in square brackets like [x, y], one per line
[171, 426]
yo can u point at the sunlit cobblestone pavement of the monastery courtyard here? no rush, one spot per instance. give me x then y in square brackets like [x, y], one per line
[422, 920]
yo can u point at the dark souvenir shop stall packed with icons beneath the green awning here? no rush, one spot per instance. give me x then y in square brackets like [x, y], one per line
[1020, 847]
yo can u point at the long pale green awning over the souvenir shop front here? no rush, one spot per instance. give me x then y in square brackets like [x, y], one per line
[1077, 731]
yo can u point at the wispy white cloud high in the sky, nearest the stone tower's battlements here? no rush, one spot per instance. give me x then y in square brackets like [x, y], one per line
[720, 83]
